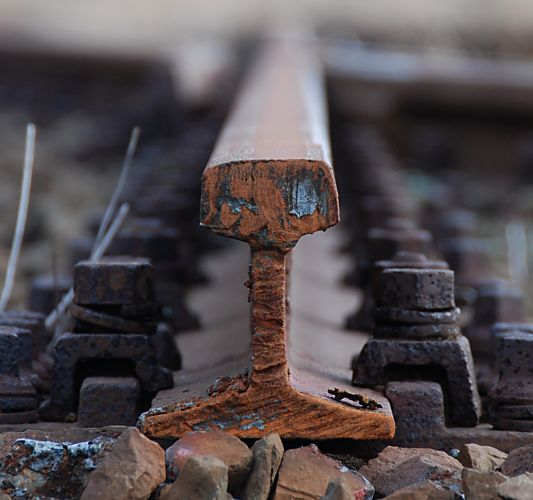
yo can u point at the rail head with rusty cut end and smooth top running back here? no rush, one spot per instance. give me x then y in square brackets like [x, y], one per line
[270, 179]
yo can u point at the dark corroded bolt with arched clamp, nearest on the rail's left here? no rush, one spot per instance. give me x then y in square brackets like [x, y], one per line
[116, 321]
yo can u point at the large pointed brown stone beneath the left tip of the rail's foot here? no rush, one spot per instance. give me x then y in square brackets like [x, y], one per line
[132, 470]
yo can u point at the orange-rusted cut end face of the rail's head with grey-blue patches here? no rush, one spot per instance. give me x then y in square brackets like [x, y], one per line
[269, 203]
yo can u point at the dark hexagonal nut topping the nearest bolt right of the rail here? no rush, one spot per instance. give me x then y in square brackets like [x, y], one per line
[418, 289]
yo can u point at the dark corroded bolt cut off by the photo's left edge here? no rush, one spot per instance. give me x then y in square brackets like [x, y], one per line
[18, 398]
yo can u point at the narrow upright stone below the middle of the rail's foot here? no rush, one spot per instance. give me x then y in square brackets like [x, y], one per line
[267, 453]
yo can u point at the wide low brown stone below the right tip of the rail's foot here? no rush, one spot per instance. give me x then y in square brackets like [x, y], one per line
[396, 468]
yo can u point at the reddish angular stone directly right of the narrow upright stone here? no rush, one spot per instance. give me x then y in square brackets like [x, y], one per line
[306, 473]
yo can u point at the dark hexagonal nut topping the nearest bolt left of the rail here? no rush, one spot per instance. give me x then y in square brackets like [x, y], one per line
[114, 281]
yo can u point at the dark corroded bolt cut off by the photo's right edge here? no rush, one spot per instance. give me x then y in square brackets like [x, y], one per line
[511, 398]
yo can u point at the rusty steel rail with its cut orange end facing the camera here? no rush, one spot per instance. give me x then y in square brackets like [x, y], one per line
[269, 182]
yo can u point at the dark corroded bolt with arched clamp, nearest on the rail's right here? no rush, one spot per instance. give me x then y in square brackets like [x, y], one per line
[416, 338]
